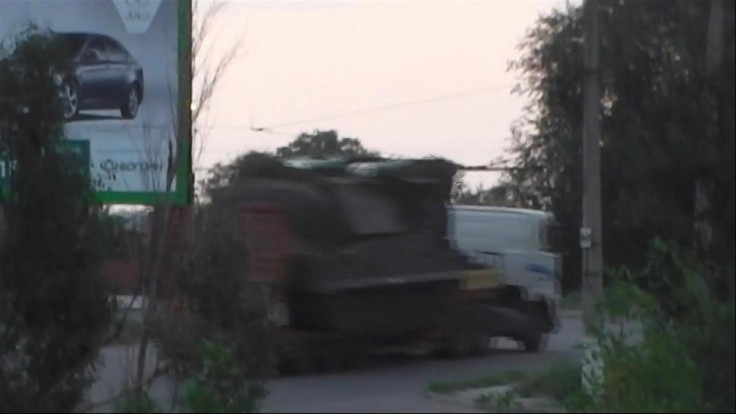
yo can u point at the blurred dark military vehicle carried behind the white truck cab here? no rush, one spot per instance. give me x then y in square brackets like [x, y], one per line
[355, 252]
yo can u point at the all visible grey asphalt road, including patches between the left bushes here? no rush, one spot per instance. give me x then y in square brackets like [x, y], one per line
[395, 383]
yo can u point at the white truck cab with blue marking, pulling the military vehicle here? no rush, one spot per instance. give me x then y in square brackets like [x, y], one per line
[515, 243]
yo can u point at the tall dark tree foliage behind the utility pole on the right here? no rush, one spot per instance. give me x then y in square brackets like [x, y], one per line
[666, 122]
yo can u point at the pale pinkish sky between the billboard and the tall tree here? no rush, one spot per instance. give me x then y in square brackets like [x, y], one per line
[353, 65]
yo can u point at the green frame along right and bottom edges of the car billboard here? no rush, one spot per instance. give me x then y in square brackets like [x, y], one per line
[183, 193]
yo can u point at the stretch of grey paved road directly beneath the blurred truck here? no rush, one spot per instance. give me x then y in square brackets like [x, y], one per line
[398, 385]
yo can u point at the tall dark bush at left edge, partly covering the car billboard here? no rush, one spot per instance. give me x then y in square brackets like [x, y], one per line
[53, 305]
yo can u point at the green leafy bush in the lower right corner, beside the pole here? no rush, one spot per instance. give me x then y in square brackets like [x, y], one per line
[684, 361]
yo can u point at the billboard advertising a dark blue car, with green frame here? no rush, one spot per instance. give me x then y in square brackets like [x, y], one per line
[127, 92]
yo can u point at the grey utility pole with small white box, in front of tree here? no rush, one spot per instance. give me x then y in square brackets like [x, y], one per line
[591, 231]
